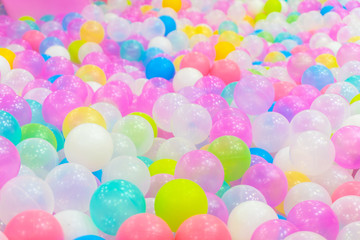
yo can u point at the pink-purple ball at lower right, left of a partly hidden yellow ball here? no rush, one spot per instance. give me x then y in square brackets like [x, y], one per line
[269, 180]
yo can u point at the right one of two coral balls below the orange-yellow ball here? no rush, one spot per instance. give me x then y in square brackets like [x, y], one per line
[227, 70]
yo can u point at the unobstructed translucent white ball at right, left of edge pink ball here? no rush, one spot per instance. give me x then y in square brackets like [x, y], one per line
[312, 153]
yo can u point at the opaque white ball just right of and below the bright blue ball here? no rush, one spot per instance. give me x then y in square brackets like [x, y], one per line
[186, 77]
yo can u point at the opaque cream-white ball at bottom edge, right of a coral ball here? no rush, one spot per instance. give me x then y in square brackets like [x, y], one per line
[243, 222]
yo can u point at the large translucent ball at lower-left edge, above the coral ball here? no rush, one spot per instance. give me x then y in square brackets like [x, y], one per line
[25, 193]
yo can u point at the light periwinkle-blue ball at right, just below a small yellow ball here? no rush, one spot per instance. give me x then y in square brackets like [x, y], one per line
[318, 76]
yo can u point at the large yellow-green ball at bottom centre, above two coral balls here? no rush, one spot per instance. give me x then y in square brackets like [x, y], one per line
[178, 200]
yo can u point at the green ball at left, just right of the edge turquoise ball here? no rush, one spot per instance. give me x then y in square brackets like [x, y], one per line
[36, 130]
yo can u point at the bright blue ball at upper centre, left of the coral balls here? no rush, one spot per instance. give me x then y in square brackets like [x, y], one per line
[160, 67]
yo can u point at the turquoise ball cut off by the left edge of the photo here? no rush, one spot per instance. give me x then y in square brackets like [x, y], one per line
[9, 127]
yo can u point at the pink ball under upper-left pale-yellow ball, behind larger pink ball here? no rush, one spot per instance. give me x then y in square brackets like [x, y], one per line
[71, 83]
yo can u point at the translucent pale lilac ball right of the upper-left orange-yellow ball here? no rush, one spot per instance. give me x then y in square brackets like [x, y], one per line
[118, 29]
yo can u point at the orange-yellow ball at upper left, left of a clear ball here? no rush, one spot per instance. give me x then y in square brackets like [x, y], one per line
[92, 31]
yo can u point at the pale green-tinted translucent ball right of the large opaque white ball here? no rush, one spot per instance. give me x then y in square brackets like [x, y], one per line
[138, 130]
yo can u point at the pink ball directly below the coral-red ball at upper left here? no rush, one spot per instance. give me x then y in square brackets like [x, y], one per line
[31, 61]
